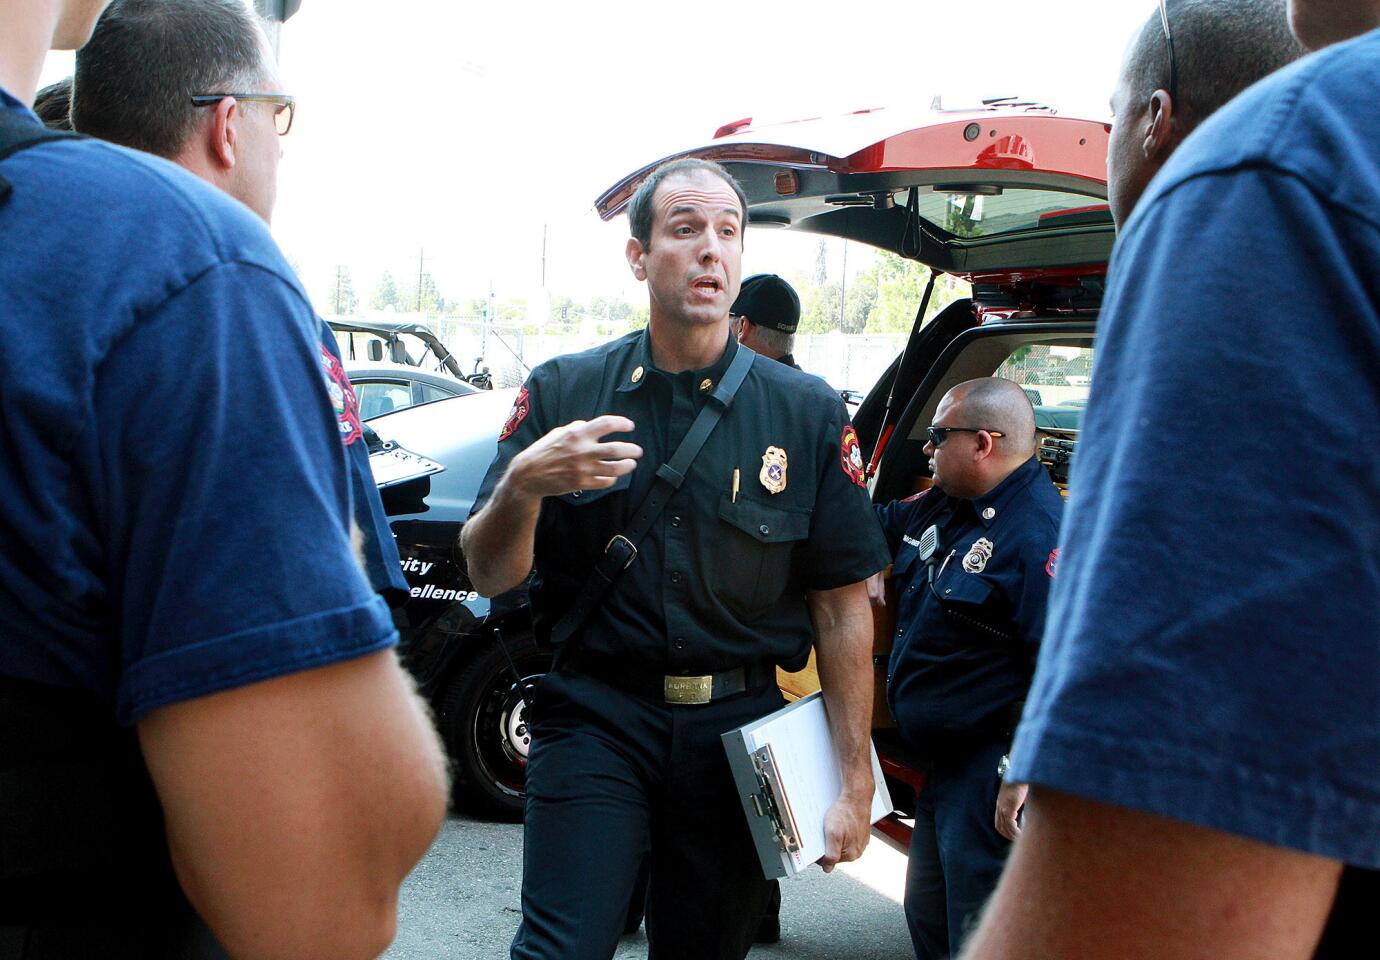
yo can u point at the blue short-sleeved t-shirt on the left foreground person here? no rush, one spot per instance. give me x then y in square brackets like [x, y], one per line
[175, 496]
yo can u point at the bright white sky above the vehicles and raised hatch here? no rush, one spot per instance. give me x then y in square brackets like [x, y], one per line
[464, 129]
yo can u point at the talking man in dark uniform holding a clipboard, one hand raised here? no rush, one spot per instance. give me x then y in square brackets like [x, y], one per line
[761, 552]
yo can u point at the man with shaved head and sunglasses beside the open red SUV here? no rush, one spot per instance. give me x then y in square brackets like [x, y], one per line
[971, 610]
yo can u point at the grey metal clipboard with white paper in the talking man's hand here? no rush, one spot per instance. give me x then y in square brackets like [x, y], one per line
[789, 776]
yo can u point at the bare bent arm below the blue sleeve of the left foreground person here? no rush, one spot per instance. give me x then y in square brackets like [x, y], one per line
[297, 806]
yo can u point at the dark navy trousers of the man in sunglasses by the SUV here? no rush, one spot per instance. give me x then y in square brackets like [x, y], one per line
[957, 854]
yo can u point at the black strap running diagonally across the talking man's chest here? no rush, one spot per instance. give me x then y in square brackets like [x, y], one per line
[623, 550]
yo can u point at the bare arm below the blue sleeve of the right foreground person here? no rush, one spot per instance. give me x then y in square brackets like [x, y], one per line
[1095, 882]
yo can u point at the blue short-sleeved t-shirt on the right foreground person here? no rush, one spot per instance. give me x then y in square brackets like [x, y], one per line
[1214, 643]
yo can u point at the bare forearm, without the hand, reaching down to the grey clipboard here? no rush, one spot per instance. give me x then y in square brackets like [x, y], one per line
[844, 654]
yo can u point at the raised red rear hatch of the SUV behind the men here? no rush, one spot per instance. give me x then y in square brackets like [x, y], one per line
[1004, 194]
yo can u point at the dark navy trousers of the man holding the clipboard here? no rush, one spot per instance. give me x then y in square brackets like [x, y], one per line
[612, 777]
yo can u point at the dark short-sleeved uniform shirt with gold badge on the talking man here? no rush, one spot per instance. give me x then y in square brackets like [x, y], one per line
[773, 507]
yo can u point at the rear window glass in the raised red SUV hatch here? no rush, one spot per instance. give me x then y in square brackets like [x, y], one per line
[972, 216]
